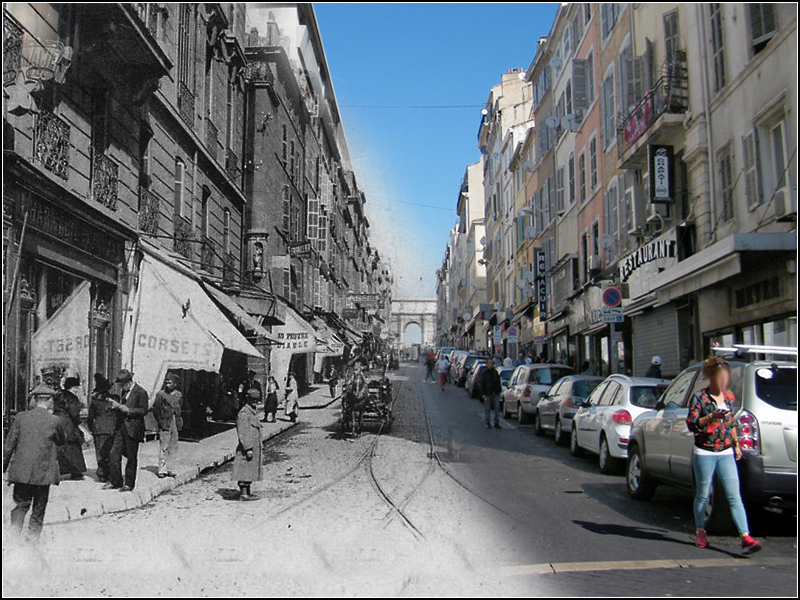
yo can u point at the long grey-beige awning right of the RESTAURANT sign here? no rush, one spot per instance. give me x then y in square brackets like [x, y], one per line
[717, 262]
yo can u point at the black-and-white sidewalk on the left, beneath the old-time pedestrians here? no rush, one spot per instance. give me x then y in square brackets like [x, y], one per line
[71, 500]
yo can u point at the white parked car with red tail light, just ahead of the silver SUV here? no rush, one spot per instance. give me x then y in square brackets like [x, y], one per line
[603, 424]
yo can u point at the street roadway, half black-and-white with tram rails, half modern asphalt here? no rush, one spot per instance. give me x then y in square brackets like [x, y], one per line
[476, 511]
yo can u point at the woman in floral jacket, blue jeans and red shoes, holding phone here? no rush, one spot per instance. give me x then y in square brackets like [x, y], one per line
[716, 450]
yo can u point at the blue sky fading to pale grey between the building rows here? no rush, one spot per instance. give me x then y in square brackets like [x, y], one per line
[411, 55]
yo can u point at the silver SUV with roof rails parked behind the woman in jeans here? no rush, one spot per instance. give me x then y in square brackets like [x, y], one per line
[765, 409]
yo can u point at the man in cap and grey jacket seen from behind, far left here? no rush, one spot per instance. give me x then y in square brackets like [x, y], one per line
[30, 458]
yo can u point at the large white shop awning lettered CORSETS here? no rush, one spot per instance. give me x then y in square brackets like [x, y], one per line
[174, 324]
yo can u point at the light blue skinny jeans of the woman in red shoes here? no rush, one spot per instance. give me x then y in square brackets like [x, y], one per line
[725, 466]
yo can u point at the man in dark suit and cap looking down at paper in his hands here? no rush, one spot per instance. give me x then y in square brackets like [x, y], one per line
[133, 407]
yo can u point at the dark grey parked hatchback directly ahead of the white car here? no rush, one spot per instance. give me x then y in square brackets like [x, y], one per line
[557, 406]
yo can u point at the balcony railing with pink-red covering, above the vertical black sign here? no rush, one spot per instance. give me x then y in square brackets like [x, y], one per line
[668, 96]
